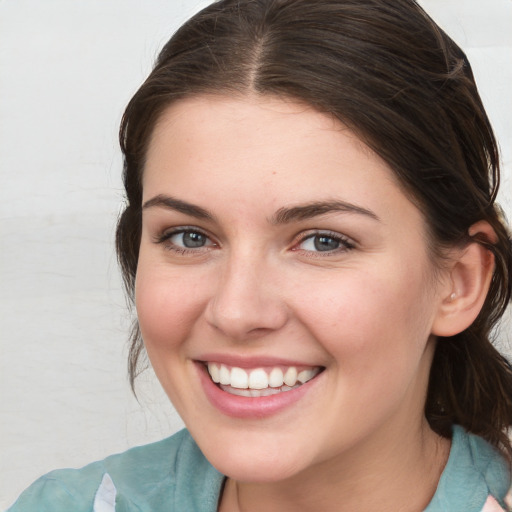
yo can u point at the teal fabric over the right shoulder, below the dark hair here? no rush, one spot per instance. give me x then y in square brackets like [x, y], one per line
[476, 477]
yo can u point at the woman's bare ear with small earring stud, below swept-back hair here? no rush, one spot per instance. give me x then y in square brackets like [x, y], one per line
[469, 279]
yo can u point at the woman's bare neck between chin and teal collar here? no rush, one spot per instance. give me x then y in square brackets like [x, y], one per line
[378, 479]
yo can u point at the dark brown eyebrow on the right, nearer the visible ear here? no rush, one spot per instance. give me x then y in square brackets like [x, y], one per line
[310, 210]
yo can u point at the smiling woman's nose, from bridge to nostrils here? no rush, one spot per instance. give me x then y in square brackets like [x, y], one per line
[246, 303]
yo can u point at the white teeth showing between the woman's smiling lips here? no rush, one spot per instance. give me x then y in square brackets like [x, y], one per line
[259, 382]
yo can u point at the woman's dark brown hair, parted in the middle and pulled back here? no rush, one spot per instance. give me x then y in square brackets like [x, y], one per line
[386, 70]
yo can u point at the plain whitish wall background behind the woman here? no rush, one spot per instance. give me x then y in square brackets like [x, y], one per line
[67, 69]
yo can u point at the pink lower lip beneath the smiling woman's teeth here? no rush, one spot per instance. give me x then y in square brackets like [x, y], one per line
[251, 407]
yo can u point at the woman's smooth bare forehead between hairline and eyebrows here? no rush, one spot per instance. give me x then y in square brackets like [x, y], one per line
[264, 152]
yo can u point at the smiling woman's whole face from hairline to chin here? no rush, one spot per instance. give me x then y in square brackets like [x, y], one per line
[276, 245]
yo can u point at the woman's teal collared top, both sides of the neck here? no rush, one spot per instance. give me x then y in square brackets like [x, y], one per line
[174, 476]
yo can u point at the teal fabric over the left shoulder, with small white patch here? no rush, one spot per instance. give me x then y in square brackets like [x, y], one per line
[168, 475]
